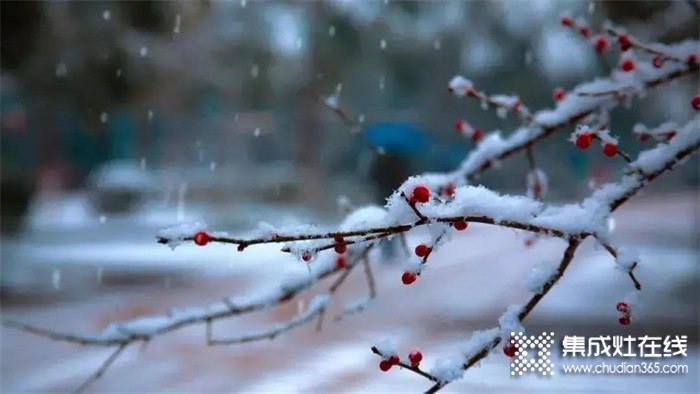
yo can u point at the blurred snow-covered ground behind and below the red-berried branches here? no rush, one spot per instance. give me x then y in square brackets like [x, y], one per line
[469, 284]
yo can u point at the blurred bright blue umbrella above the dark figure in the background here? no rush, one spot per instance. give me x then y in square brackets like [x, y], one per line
[398, 137]
